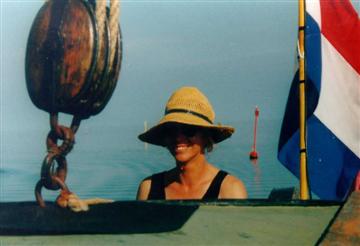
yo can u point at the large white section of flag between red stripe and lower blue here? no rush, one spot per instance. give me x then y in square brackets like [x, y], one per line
[339, 102]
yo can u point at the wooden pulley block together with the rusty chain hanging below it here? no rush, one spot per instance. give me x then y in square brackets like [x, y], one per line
[69, 69]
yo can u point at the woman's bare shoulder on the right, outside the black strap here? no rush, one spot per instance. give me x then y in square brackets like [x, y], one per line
[232, 188]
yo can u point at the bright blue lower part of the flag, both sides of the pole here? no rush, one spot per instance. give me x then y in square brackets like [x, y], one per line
[331, 165]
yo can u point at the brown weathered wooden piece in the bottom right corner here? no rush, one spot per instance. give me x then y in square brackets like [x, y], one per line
[345, 230]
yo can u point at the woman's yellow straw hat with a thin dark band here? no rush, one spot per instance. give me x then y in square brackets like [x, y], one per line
[188, 106]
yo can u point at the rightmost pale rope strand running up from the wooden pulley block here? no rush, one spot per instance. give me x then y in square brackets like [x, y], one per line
[114, 28]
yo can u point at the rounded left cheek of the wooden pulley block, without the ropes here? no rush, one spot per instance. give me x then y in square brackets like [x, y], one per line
[61, 54]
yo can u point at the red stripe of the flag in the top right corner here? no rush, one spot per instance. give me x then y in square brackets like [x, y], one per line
[341, 26]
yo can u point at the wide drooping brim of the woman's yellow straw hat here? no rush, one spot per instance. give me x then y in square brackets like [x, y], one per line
[155, 135]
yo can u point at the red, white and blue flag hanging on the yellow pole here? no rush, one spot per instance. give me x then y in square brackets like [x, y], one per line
[332, 50]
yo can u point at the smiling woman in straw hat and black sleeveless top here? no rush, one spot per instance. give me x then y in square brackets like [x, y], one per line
[187, 131]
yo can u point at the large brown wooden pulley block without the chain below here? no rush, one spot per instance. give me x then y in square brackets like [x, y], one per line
[67, 67]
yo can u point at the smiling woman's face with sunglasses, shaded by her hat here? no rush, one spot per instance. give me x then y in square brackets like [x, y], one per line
[185, 142]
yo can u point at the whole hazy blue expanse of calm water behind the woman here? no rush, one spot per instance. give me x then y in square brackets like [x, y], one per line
[228, 49]
